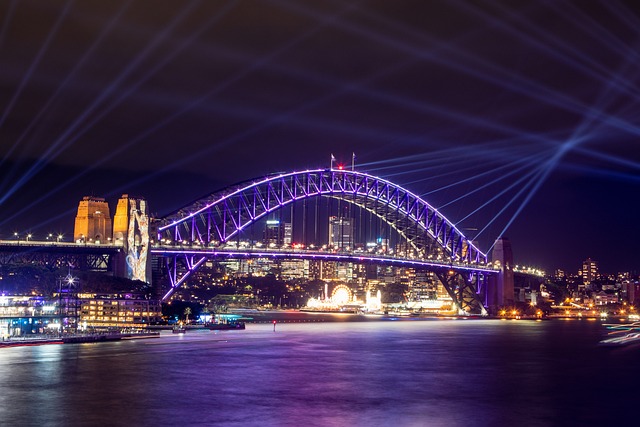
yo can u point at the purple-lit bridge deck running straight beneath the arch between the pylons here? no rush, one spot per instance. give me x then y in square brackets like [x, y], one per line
[295, 253]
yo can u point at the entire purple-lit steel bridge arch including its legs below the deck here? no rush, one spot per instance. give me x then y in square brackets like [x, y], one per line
[201, 227]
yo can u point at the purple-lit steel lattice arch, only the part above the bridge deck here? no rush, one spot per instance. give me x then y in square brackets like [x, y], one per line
[222, 215]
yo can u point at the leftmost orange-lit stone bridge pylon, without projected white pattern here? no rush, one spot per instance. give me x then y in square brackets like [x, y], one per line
[93, 221]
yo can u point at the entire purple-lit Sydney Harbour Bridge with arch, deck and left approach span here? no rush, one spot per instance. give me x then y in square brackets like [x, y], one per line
[333, 215]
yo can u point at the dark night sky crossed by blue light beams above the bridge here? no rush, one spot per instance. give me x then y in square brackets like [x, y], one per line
[518, 119]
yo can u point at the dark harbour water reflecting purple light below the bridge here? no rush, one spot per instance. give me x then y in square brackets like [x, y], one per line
[402, 372]
